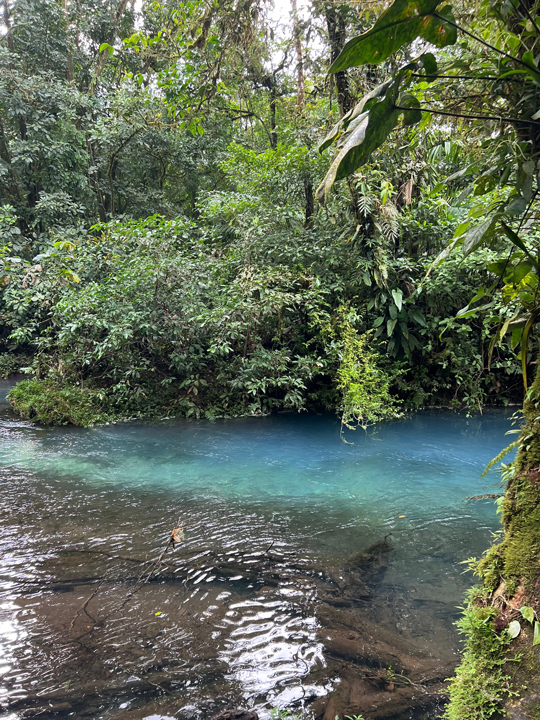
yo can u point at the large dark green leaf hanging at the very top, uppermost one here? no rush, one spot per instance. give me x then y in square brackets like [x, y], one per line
[402, 23]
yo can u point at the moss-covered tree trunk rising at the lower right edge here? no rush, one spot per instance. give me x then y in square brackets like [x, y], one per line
[510, 573]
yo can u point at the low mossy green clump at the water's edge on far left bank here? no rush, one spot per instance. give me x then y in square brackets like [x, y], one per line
[52, 404]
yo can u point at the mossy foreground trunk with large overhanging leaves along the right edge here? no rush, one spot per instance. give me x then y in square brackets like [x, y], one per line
[503, 113]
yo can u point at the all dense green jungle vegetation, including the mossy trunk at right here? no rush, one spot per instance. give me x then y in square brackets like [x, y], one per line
[223, 208]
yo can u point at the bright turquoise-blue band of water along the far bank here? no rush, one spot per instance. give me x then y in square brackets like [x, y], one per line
[438, 455]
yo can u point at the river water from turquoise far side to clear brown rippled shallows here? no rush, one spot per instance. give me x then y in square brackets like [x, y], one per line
[79, 506]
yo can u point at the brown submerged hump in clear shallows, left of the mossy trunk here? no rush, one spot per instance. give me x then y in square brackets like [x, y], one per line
[380, 673]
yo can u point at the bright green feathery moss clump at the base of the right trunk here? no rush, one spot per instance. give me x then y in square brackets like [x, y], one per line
[481, 685]
